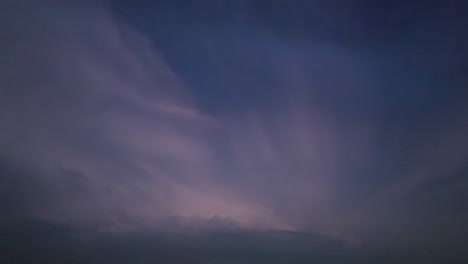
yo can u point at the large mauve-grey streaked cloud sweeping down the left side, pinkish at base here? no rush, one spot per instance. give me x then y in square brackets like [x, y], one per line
[90, 108]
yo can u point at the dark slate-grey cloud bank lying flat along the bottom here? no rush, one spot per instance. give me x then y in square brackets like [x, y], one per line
[38, 241]
